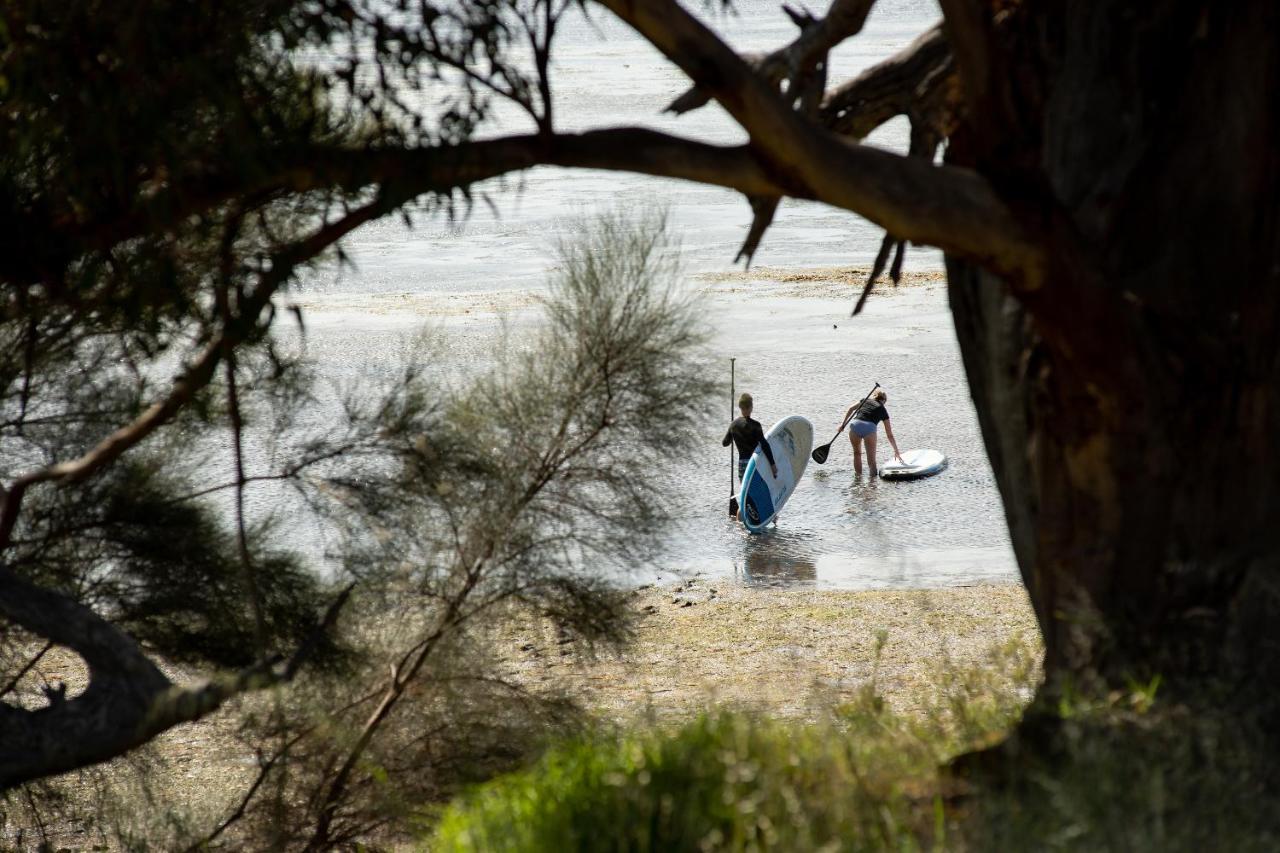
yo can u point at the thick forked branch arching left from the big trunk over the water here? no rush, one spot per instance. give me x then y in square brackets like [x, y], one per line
[949, 208]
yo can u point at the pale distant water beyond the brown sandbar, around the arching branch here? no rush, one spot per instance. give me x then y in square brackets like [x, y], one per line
[605, 76]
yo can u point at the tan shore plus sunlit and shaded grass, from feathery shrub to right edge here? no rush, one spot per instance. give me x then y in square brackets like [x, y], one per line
[866, 722]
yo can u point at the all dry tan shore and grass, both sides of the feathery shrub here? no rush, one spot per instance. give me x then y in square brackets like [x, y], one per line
[825, 714]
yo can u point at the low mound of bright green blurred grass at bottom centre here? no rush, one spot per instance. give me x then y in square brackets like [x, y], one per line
[724, 782]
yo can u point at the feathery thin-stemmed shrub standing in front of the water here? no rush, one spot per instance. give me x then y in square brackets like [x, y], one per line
[514, 499]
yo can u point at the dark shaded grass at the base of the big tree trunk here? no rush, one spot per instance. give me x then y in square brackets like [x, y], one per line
[1131, 773]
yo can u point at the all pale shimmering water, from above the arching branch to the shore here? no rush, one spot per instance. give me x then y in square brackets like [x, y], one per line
[465, 277]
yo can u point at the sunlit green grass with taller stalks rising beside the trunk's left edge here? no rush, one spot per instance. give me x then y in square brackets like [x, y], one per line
[865, 778]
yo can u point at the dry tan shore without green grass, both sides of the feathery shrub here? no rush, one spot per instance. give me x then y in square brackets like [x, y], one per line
[701, 649]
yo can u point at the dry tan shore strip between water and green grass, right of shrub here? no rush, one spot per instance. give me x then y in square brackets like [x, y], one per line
[785, 651]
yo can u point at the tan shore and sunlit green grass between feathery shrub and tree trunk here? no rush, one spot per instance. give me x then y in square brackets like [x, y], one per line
[756, 719]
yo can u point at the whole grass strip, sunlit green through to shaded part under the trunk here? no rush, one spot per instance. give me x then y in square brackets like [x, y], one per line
[1122, 773]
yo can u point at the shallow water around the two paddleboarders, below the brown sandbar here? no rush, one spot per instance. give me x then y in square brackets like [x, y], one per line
[840, 528]
